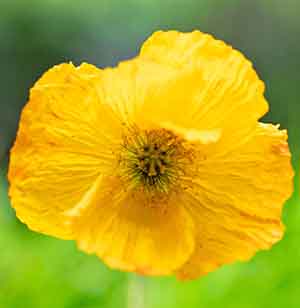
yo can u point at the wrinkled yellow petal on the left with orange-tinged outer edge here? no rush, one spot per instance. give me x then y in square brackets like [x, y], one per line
[65, 140]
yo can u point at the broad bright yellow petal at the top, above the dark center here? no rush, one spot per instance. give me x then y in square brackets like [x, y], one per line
[189, 80]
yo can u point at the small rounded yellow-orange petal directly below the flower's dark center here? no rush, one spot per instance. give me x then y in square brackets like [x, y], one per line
[132, 232]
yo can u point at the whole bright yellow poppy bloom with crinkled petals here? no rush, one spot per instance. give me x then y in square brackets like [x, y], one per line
[158, 166]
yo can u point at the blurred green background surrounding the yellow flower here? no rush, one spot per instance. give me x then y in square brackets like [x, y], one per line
[39, 271]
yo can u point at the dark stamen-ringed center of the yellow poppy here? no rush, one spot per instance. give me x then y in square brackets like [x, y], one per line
[153, 159]
